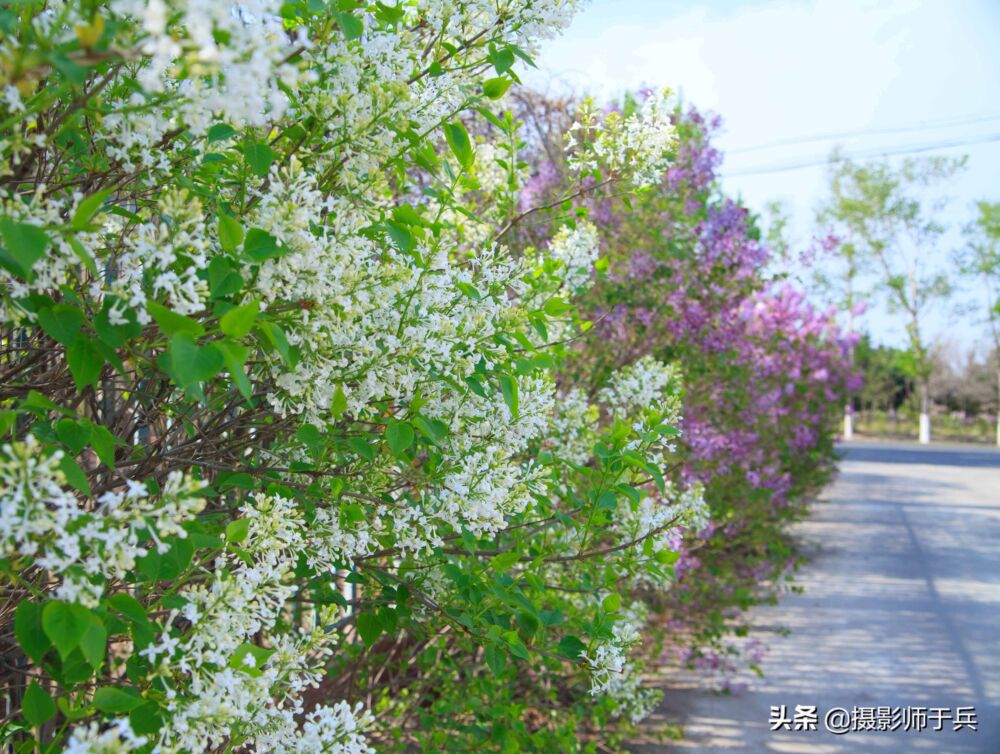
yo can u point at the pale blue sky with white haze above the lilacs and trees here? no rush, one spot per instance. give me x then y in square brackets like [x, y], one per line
[881, 76]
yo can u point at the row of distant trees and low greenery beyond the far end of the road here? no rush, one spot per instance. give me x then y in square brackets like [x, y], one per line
[883, 238]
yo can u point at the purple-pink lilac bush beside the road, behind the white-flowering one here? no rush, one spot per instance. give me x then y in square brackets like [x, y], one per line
[762, 369]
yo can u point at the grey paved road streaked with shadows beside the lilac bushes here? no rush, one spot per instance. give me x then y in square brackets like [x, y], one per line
[901, 608]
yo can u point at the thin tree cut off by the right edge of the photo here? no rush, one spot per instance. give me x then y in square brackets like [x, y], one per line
[980, 260]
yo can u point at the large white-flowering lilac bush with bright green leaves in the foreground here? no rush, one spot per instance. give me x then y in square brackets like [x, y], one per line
[291, 461]
